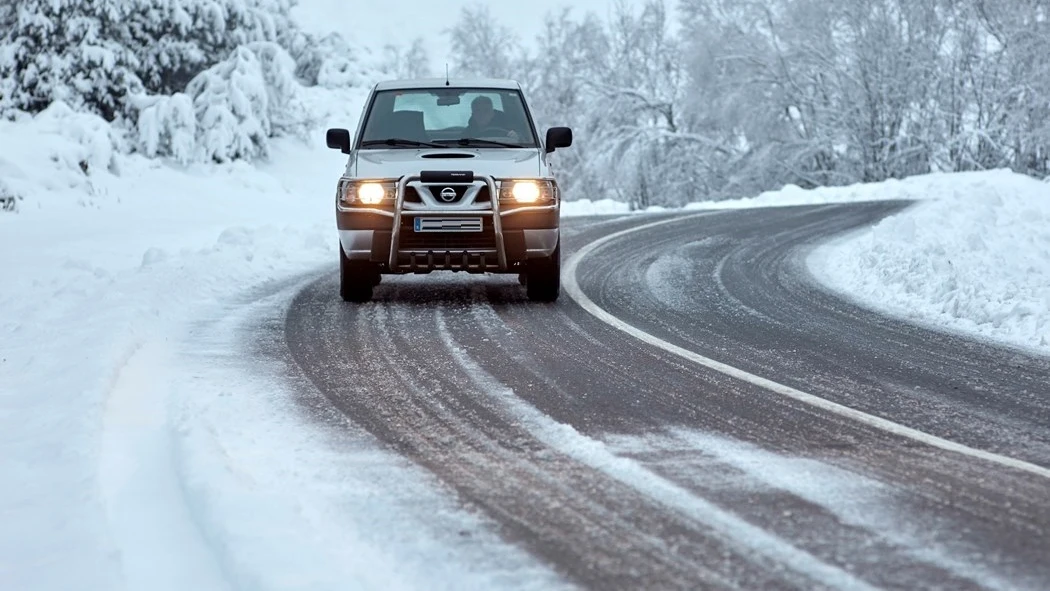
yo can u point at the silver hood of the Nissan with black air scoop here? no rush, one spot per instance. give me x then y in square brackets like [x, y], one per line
[501, 163]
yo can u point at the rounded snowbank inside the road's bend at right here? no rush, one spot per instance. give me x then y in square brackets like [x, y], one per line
[975, 258]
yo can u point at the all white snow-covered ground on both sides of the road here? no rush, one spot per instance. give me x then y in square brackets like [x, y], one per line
[133, 432]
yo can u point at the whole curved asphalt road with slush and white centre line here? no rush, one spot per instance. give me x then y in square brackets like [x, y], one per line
[839, 450]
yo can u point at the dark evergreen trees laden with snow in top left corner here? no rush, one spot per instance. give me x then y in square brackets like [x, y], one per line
[94, 54]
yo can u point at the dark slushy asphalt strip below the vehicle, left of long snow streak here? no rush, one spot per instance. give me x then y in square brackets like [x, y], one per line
[409, 391]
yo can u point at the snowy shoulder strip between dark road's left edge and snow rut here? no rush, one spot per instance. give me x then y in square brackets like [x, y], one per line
[292, 504]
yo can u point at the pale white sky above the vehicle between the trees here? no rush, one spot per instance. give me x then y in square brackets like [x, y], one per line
[379, 23]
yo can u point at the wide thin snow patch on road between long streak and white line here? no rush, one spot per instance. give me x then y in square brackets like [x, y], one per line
[896, 534]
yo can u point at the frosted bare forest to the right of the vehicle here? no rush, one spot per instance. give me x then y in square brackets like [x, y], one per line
[730, 98]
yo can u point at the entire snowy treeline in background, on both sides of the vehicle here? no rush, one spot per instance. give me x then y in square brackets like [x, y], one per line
[671, 103]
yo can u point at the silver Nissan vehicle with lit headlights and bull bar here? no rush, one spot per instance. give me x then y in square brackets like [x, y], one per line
[449, 176]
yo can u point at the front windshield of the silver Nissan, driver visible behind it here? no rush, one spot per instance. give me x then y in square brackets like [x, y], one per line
[410, 119]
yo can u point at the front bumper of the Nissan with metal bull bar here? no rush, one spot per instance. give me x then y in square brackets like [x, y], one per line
[510, 238]
